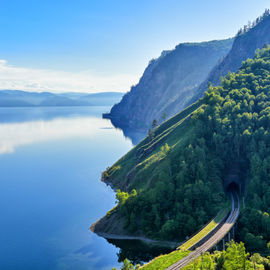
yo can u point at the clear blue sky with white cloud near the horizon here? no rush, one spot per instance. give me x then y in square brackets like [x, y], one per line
[104, 45]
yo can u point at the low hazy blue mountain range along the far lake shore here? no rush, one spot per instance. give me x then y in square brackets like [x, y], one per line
[18, 98]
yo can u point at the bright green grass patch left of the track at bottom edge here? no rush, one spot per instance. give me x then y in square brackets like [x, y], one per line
[163, 261]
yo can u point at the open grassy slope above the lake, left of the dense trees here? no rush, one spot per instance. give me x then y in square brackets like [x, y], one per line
[143, 158]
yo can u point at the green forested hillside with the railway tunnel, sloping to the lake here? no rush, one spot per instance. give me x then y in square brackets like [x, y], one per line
[175, 180]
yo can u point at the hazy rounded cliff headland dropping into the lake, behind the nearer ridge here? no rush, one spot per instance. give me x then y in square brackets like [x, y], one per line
[173, 76]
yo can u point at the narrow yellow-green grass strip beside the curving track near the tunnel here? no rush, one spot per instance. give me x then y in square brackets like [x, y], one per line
[207, 229]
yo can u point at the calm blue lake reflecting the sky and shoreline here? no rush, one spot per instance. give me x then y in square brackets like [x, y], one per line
[51, 160]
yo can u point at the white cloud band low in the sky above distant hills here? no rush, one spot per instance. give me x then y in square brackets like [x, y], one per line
[12, 77]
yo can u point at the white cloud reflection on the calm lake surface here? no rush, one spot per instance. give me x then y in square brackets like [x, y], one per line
[13, 135]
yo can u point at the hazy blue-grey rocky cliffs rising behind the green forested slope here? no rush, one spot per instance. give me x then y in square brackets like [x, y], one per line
[181, 76]
